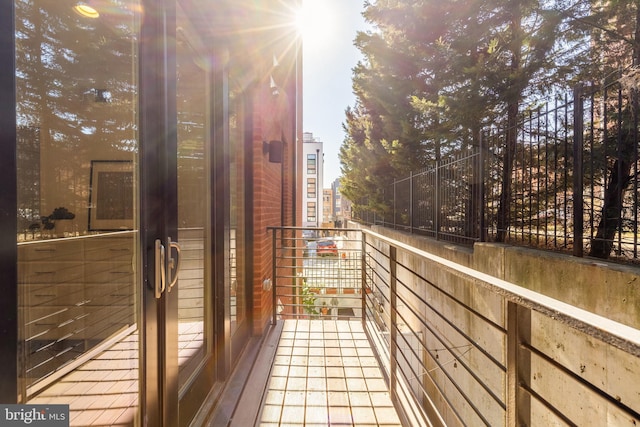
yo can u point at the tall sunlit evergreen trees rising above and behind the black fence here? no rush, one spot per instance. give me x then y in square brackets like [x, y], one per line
[435, 74]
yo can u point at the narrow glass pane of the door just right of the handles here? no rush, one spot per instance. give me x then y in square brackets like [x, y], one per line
[194, 225]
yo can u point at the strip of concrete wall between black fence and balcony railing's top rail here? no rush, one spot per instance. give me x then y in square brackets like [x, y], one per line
[604, 288]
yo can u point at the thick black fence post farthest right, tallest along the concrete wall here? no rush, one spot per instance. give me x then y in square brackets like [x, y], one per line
[578, 205]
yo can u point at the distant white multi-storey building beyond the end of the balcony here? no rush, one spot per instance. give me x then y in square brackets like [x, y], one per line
[312, 176]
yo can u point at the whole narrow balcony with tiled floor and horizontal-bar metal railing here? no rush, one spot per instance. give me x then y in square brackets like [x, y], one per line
[437, 341]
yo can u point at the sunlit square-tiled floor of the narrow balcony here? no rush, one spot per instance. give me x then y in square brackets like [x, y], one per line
[325, 374]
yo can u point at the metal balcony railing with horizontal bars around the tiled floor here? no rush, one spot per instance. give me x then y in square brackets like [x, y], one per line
[459, 347]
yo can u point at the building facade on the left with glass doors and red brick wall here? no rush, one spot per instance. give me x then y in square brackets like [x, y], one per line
[142, 143]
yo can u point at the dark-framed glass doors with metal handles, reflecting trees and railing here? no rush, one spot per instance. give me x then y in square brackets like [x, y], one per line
[130, 211]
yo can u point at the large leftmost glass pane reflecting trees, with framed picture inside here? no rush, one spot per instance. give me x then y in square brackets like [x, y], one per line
[78, 192]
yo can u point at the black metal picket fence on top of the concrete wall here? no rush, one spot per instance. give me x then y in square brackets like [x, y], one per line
[572, 184]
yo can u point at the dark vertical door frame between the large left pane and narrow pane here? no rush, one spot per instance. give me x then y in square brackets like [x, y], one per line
[157, 105]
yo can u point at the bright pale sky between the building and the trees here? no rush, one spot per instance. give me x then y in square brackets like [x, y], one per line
[329, 28]
